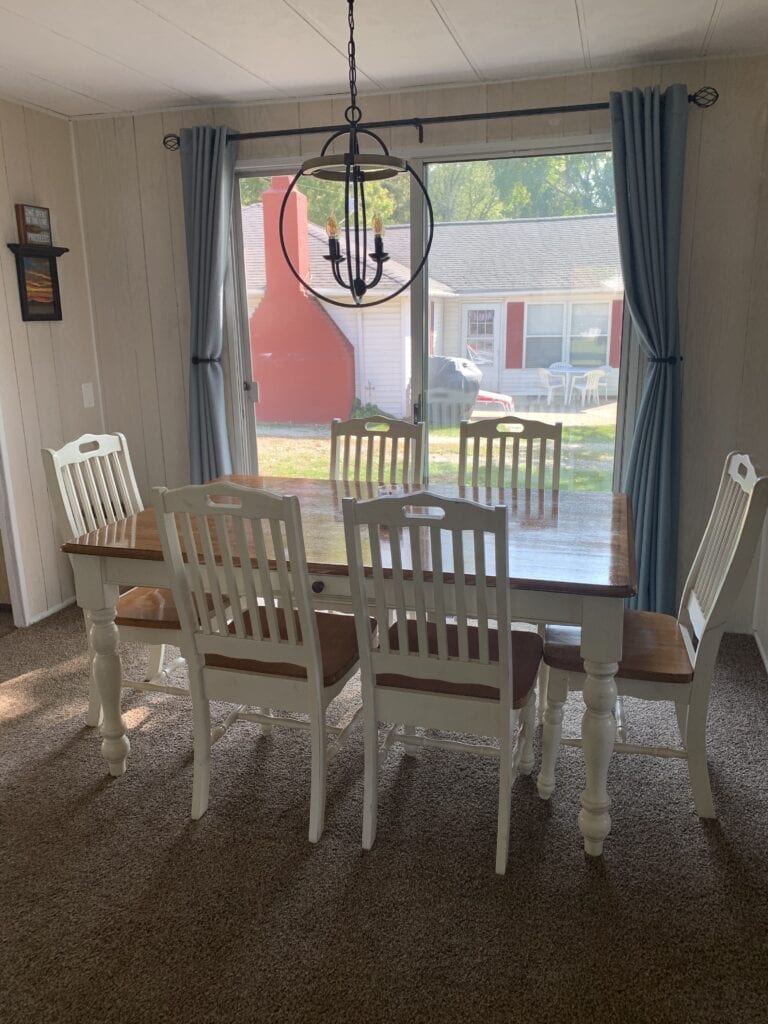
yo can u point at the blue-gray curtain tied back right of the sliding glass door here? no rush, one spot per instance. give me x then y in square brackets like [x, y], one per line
[649, 134]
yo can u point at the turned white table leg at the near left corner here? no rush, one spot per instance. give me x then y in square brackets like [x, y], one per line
[109, 676]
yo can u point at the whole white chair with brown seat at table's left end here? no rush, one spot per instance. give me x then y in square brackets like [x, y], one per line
[92, 485]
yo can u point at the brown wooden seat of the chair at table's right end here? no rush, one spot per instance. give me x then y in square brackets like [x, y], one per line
[654, 649]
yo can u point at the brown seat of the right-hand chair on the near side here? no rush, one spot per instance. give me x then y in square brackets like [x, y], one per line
[527, 656]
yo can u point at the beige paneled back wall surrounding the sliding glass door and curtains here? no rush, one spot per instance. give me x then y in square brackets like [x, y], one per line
[136, 245]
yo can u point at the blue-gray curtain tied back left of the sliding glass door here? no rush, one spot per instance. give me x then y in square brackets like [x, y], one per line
[208, 178]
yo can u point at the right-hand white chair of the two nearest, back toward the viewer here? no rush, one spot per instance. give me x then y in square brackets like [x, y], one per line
[461, 675]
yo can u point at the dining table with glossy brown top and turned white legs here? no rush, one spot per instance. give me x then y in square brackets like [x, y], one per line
[572, 562]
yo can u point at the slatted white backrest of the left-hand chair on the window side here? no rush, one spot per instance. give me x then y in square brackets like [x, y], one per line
[377, 450]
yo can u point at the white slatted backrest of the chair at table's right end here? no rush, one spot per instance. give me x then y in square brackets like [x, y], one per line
[723, 558]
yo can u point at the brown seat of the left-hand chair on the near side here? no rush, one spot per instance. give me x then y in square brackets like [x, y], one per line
[338, 642]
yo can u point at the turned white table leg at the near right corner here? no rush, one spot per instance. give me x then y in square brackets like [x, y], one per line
[602, 646]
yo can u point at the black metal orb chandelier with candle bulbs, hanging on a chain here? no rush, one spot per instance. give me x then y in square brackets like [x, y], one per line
[355, 269]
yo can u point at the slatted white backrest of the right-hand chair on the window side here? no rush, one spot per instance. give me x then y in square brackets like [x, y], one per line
[509, 452]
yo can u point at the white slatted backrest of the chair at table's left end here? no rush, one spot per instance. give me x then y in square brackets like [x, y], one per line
[92, 484]
